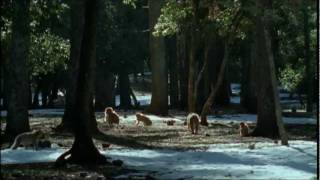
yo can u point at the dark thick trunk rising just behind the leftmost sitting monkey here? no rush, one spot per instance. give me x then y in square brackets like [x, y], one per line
[105, 89]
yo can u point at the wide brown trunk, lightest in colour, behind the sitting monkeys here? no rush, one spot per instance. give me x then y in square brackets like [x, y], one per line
[159, 99]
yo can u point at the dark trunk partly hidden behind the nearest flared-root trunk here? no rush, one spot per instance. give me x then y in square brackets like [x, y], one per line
[77, 26]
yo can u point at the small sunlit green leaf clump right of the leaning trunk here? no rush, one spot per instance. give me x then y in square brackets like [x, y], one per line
[291, 78]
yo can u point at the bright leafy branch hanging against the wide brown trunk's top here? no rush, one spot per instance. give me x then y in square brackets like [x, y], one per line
[172, 17]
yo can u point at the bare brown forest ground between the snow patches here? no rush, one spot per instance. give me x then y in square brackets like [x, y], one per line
[158, 136]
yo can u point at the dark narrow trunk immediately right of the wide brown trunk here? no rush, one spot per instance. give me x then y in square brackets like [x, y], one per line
[173, 71]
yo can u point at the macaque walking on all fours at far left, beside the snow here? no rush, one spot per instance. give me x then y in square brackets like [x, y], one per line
[28, 138]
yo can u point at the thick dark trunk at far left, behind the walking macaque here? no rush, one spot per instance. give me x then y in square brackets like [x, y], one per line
[17, 75]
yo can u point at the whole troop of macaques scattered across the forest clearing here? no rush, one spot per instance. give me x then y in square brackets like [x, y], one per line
[112, 117]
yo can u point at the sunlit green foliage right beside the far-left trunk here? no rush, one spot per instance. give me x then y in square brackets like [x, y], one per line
[47, 54]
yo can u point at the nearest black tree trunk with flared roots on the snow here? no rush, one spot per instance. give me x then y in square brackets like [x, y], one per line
[83, 150]
